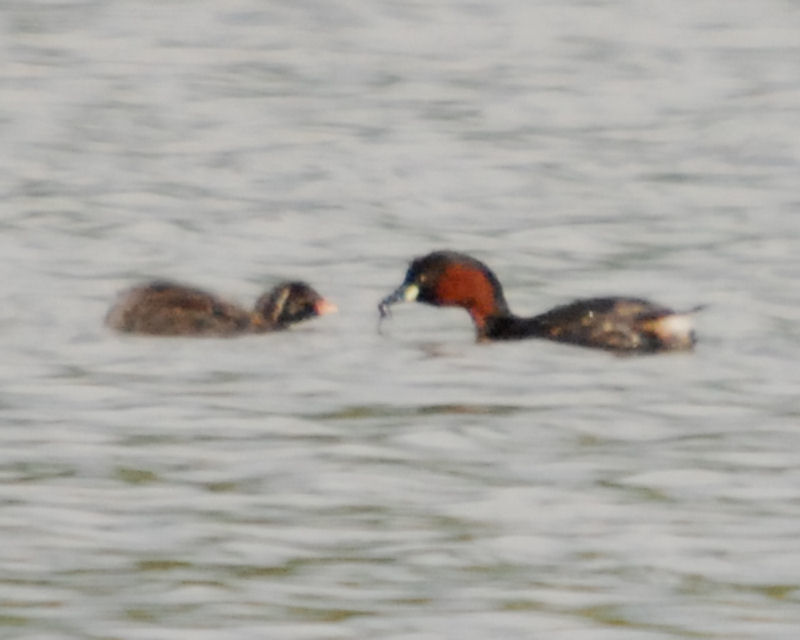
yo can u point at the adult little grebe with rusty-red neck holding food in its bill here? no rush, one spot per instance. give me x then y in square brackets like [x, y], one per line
[452, 279]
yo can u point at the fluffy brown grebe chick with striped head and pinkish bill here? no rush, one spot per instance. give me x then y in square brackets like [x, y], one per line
[169, 309]
